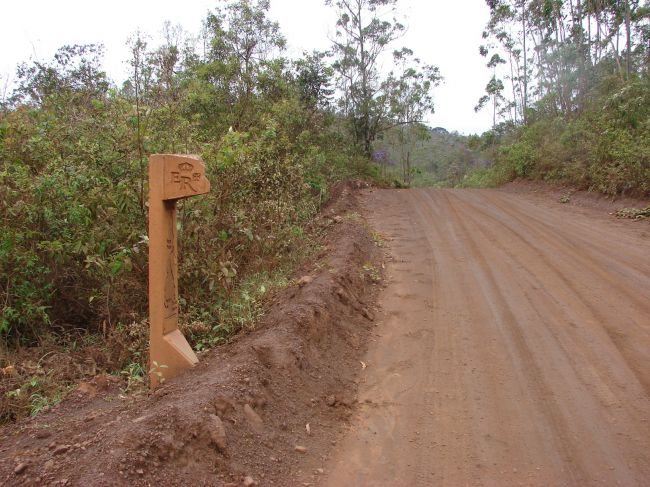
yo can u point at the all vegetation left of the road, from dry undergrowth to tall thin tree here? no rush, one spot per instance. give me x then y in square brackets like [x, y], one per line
[275, 134]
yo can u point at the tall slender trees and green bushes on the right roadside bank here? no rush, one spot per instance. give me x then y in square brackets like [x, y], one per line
[570, 94]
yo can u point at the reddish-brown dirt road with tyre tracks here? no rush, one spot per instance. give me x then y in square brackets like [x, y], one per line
[514, 348]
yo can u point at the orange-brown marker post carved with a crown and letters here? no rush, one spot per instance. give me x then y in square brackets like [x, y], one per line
[171, 177]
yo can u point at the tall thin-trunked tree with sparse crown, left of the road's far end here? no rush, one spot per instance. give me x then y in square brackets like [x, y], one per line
[371, 101]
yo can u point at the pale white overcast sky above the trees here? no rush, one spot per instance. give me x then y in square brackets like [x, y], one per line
[446, 33]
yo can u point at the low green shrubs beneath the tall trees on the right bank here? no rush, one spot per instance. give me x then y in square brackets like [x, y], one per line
[605, 148]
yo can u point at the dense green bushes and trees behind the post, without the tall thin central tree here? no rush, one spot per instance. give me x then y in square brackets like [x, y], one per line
[73, 175]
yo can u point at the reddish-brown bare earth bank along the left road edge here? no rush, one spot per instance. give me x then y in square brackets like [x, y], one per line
[264, 409]
